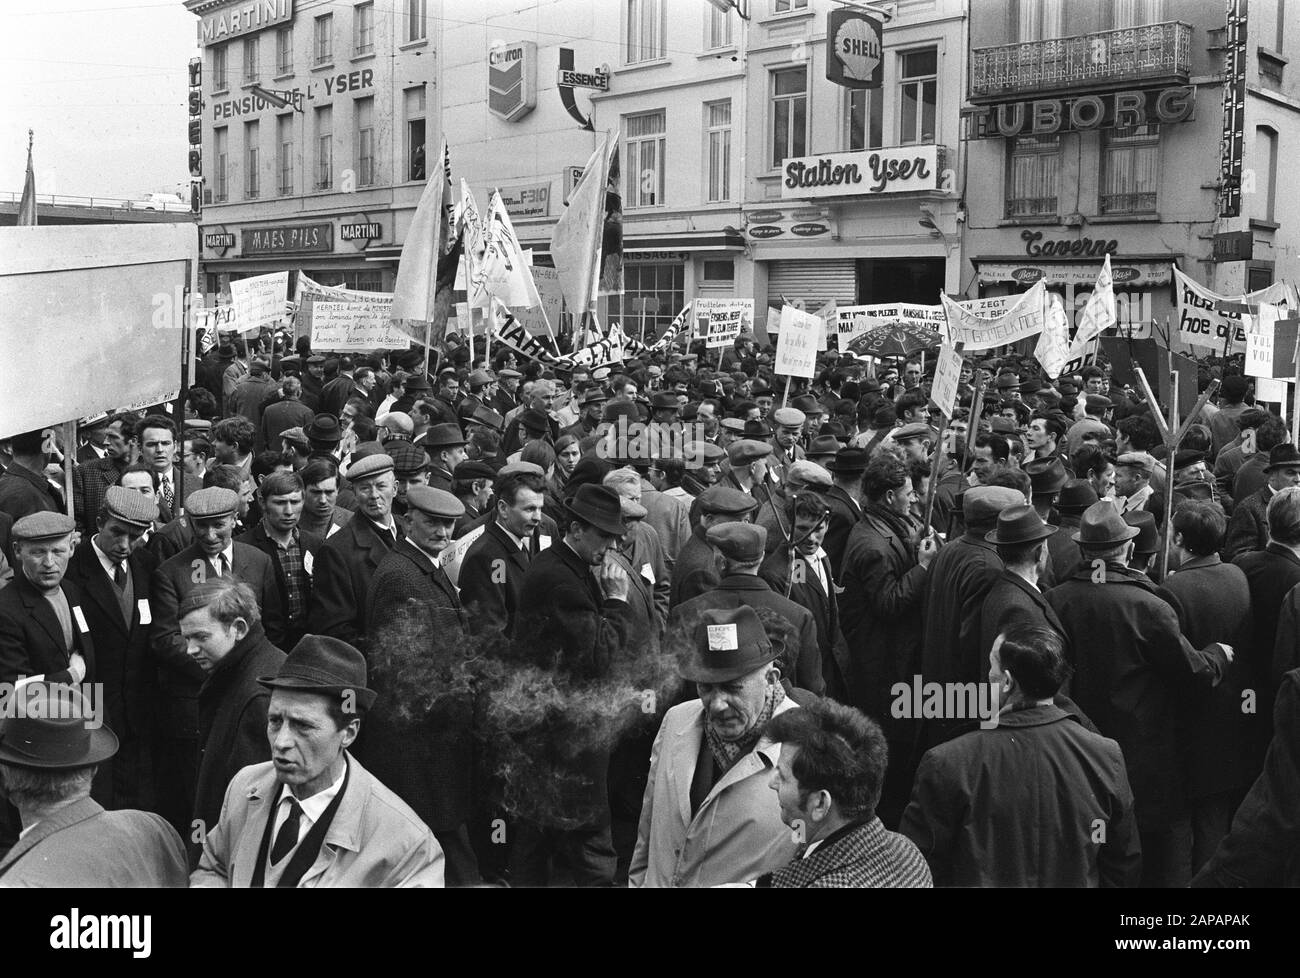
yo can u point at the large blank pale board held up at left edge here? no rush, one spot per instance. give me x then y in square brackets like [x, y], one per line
[92, 319]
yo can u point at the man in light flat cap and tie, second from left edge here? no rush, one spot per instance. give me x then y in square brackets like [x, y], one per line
[115, 579]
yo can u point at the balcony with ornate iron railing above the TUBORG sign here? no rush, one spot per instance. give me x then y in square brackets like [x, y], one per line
[1155, 53]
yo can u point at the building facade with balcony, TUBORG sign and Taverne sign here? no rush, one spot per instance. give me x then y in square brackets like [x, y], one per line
[1097, 127]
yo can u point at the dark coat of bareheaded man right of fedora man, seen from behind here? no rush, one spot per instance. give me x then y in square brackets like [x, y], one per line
[1219, 737]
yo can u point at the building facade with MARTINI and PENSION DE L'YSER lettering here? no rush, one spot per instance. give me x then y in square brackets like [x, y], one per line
[326, 176]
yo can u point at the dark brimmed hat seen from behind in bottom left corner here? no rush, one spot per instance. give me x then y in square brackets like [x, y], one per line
[53, 732]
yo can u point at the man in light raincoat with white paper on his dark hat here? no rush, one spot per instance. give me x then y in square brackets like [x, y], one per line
[709, 816]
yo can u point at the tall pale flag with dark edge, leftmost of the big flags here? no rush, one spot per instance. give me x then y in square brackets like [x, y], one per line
[427, 257]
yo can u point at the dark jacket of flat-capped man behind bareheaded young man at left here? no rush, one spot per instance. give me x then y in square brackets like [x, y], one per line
[180, 677]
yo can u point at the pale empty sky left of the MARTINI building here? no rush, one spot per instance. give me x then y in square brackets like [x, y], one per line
[103, 85]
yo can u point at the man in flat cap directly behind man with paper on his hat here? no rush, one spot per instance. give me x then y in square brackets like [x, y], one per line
[740, 549]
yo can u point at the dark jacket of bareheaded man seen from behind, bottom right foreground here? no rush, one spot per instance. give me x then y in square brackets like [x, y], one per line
[1019, 806]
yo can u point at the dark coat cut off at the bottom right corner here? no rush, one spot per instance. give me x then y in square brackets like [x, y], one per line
[1263, 847]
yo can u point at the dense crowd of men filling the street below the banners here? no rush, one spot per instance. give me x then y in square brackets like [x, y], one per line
[913, 651]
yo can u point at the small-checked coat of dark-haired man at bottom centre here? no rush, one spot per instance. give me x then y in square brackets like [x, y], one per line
[868, 856]
